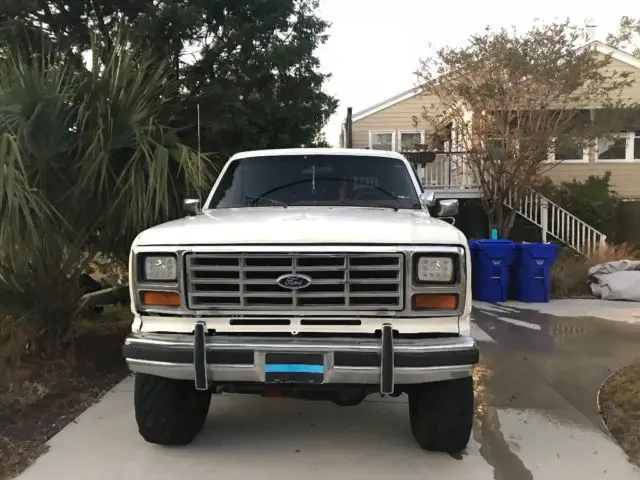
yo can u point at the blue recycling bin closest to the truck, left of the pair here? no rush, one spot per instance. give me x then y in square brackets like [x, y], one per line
[491, 275]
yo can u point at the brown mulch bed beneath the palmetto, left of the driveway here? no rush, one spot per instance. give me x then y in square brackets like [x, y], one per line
[52, 394]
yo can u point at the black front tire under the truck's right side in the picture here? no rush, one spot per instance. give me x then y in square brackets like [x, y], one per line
[441, 414]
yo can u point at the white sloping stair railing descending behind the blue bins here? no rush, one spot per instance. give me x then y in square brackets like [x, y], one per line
[559, 223]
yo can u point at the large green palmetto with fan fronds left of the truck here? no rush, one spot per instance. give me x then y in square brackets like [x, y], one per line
[85, 164]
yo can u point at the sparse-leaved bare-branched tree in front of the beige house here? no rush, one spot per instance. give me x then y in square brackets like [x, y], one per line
[516, 99]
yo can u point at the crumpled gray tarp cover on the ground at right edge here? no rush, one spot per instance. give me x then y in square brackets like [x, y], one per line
[618, 280]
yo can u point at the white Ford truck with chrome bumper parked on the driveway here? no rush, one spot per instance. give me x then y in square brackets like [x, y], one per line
[316, 274]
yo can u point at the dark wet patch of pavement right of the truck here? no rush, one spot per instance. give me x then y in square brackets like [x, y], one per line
[573, 355]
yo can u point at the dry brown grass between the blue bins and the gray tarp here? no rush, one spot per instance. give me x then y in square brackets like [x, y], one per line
[570, 272]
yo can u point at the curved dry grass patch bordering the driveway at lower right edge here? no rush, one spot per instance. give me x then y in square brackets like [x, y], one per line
[620, 408]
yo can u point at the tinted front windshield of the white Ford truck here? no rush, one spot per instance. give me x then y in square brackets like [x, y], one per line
[344, 180]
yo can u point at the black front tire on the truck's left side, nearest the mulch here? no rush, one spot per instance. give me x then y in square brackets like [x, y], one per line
[169, 412]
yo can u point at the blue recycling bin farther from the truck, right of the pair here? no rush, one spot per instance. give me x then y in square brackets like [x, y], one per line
[533, 271]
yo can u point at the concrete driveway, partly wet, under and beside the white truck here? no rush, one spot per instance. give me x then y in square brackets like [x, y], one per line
[536, 417]
